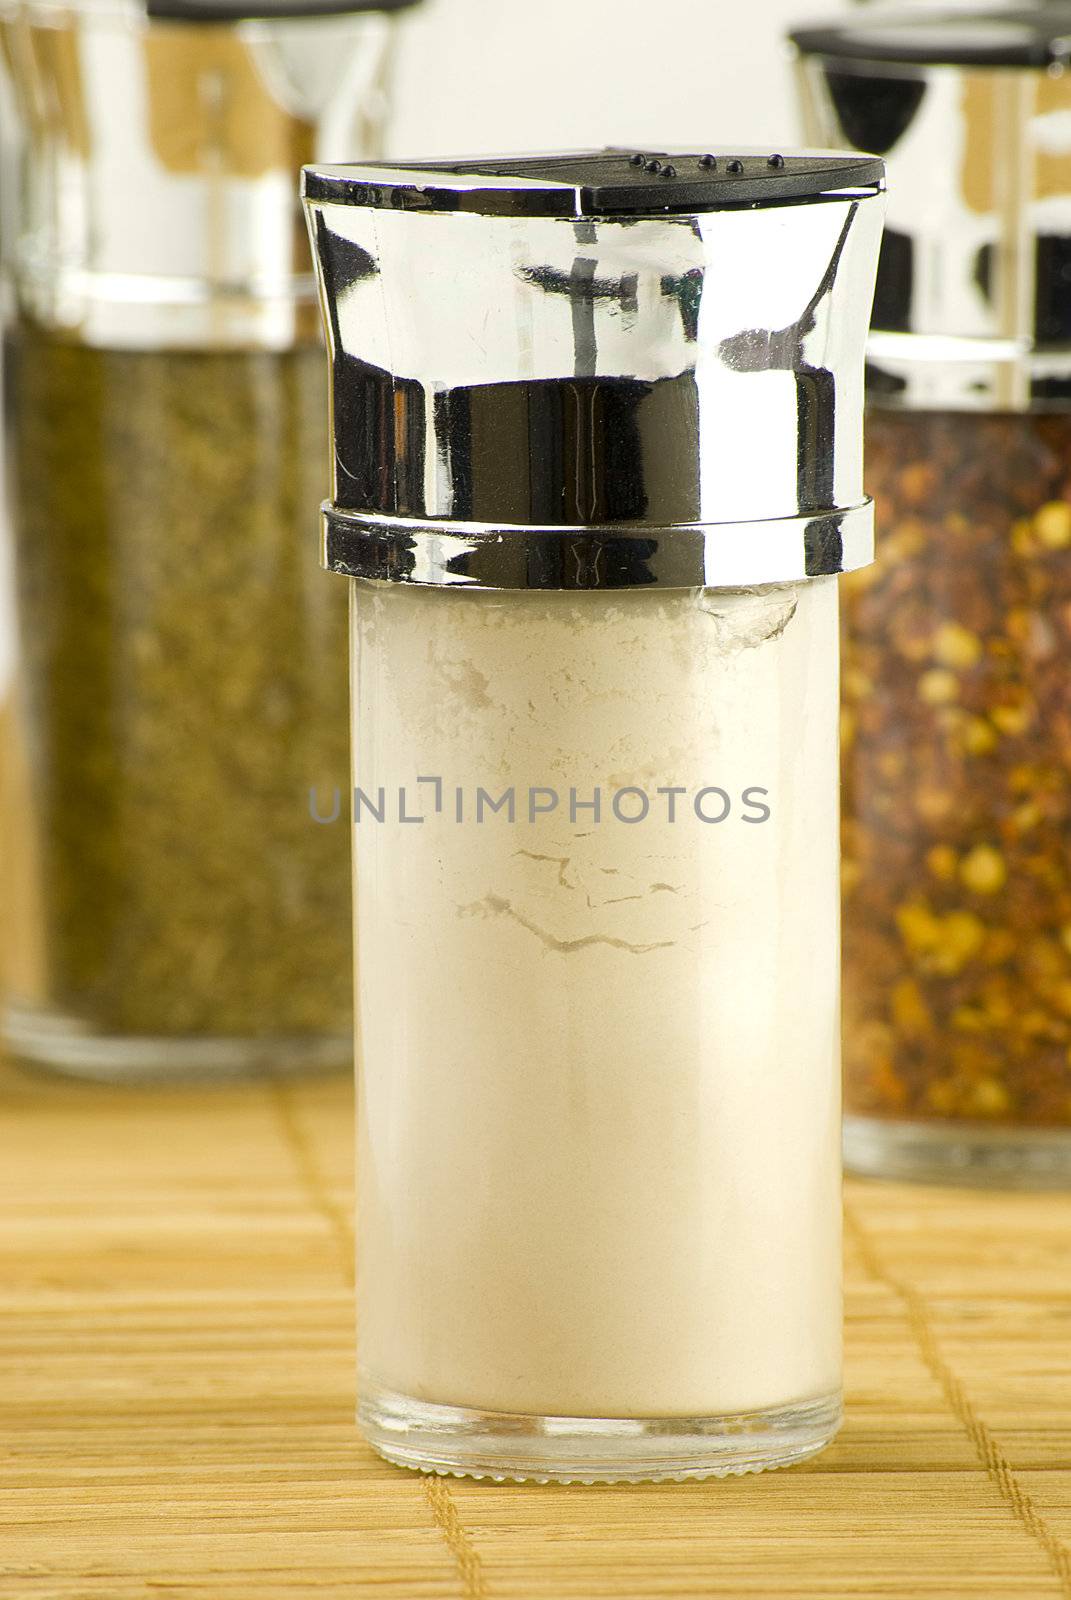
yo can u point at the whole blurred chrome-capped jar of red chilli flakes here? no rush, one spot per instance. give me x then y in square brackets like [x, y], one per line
[957, 726]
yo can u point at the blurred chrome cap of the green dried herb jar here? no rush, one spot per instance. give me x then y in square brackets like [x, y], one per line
[148, 186]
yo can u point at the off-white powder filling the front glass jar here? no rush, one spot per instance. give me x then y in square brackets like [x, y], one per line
[600, 1100]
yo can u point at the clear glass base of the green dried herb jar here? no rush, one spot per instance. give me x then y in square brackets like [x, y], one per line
[57, 1044]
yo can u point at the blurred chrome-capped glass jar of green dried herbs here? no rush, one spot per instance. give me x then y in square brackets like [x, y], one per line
[182, 726]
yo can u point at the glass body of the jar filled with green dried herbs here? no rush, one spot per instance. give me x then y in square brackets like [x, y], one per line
[180, 714]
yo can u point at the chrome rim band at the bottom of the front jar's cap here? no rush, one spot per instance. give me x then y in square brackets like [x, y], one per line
[686, 556]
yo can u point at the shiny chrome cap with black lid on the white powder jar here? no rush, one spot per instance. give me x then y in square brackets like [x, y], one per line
[598, 370]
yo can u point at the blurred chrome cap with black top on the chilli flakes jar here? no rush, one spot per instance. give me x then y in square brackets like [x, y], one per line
[971, 110]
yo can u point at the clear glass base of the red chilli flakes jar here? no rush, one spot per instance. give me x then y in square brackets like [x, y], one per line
[958, 1153]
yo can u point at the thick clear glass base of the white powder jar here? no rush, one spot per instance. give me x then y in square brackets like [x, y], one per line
[524, 1449]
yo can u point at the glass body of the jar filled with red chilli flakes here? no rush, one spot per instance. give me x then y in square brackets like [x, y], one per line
[957, 804]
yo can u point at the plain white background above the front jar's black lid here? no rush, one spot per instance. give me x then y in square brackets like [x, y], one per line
[555, 74]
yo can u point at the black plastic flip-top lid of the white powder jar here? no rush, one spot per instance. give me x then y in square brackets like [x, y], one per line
[598, 183]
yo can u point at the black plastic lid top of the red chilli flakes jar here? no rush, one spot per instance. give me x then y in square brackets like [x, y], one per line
[989, 38]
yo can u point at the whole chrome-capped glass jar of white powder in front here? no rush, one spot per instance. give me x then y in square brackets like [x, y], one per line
[598, 441]
